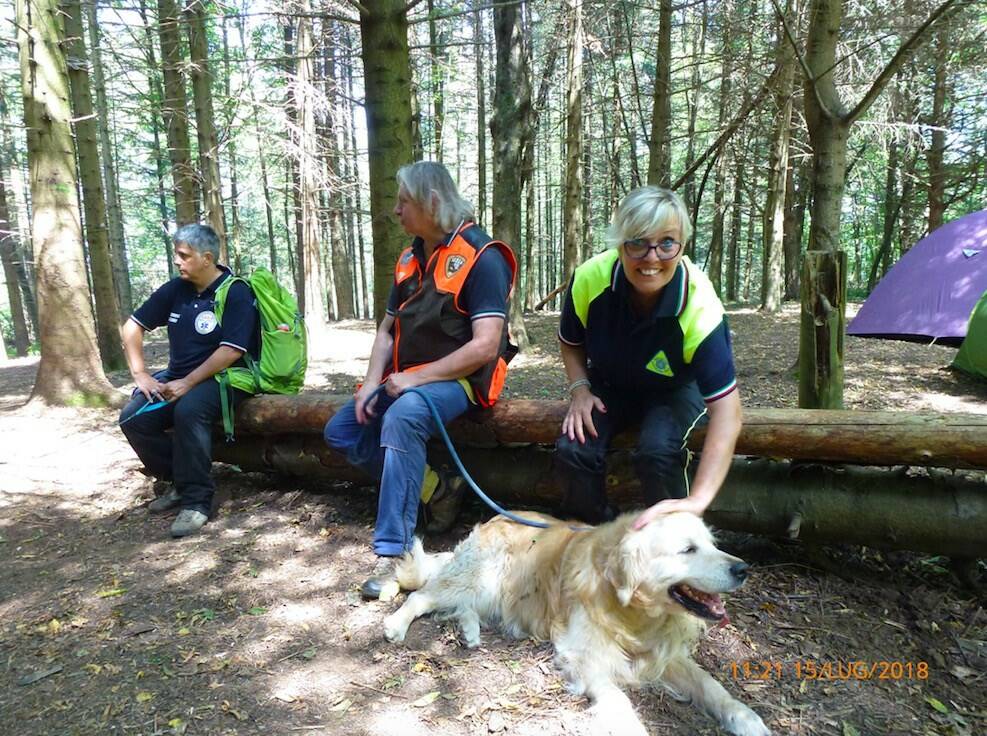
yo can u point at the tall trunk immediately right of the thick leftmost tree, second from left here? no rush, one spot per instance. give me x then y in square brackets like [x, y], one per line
[87, 147]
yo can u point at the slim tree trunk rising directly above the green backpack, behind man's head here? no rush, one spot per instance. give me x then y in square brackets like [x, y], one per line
[205, 123]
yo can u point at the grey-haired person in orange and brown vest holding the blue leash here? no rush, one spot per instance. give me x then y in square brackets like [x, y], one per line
[444, 333]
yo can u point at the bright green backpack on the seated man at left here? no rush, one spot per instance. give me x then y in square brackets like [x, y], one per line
[283, 344]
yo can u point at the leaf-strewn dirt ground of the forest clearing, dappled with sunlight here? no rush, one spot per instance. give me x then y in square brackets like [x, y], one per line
[255, 626]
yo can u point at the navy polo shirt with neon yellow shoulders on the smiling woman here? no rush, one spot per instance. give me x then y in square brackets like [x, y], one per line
[684, 339]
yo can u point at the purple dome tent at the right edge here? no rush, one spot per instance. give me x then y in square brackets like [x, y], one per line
[929, 294]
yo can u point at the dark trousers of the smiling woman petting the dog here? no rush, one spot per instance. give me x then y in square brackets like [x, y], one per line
[660, 459]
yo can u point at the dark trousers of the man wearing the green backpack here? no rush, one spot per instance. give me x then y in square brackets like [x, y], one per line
[183, 455]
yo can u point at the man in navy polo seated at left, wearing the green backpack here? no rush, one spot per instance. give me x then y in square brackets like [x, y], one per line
[185, 397]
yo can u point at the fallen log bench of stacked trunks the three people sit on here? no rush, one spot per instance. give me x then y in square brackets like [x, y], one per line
[810, 474]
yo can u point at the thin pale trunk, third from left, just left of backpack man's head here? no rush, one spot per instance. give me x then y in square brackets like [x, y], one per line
[114, 214]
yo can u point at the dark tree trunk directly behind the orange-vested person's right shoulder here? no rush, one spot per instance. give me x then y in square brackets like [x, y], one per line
[510, 130]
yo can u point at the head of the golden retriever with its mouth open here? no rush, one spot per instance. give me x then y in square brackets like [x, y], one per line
[670, 565]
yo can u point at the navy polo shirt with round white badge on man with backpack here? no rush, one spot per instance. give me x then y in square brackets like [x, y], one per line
[194, 333]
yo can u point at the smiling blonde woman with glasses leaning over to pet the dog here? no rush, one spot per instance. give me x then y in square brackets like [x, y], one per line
[644, 341]
